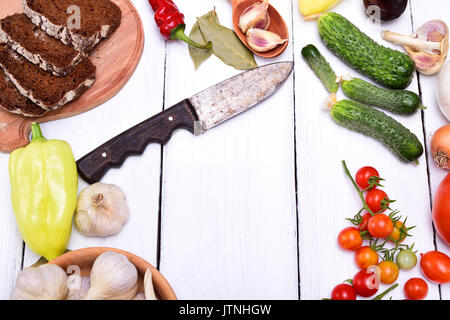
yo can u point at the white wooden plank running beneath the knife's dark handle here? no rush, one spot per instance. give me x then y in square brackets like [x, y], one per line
[139, 177]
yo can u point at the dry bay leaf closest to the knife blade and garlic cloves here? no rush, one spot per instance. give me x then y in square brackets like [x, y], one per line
[226, 45]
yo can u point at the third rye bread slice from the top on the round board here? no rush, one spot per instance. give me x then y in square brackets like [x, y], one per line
[46, 90]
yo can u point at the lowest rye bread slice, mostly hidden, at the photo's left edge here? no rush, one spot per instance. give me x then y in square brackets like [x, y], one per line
[12, 101]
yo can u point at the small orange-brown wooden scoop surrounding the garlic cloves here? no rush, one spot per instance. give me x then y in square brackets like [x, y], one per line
[277, 25]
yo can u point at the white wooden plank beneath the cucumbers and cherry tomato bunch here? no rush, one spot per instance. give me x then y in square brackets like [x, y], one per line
[326, 196]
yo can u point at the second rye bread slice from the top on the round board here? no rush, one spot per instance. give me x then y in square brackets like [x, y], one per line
[37, 46]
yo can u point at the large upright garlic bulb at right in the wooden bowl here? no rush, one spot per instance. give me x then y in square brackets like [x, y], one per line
[113, 277]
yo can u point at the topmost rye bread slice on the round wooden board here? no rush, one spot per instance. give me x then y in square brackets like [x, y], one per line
[99, 18]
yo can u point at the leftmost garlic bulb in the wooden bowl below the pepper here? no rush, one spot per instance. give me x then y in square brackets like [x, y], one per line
[46, 282]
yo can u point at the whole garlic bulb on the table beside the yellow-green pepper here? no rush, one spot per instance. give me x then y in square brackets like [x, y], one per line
[102, 210]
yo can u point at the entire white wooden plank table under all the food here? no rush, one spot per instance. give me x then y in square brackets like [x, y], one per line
[251, 209]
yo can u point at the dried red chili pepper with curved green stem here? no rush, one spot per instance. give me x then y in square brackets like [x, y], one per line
[171, 22]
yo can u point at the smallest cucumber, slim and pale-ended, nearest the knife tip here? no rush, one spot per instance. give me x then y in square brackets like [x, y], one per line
[321, 67]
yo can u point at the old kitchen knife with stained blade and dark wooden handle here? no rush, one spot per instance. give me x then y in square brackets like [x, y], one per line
[196, 114]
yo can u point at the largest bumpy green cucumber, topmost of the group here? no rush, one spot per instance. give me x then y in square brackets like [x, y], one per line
[390, 68]
